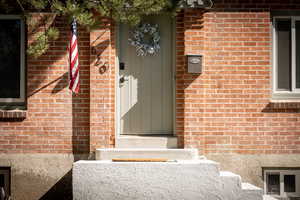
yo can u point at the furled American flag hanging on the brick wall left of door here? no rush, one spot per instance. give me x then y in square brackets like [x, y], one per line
[73, 60]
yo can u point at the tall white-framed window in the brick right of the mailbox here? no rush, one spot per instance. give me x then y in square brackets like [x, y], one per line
[286, 57]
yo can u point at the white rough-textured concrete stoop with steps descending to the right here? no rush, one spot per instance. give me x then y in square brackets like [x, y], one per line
[189, 179]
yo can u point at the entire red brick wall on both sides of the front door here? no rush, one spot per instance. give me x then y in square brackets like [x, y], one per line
[226, 109]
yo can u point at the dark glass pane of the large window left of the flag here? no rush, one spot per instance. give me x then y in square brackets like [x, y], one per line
[10, 41]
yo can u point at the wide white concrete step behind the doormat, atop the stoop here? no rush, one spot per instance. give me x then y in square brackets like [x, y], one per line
[170, 154]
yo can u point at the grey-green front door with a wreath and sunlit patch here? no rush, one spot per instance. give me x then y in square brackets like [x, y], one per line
[146, 83]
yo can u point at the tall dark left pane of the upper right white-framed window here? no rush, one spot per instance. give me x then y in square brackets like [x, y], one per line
[283, 31]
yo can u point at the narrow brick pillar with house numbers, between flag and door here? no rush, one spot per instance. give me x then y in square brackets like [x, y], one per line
[102, 86]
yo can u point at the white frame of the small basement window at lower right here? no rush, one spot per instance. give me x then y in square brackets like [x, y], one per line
[281, 178]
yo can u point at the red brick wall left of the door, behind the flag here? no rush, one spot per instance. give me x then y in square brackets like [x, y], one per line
[57, 121]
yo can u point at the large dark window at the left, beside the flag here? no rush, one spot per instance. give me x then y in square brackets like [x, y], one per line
[12, 69]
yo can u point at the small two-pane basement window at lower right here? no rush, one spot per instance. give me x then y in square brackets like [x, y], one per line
[282, 184]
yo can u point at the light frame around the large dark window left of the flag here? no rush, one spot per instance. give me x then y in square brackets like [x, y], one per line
[22, 62]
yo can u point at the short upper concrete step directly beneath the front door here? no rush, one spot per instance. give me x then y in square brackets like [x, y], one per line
[162, 142]
